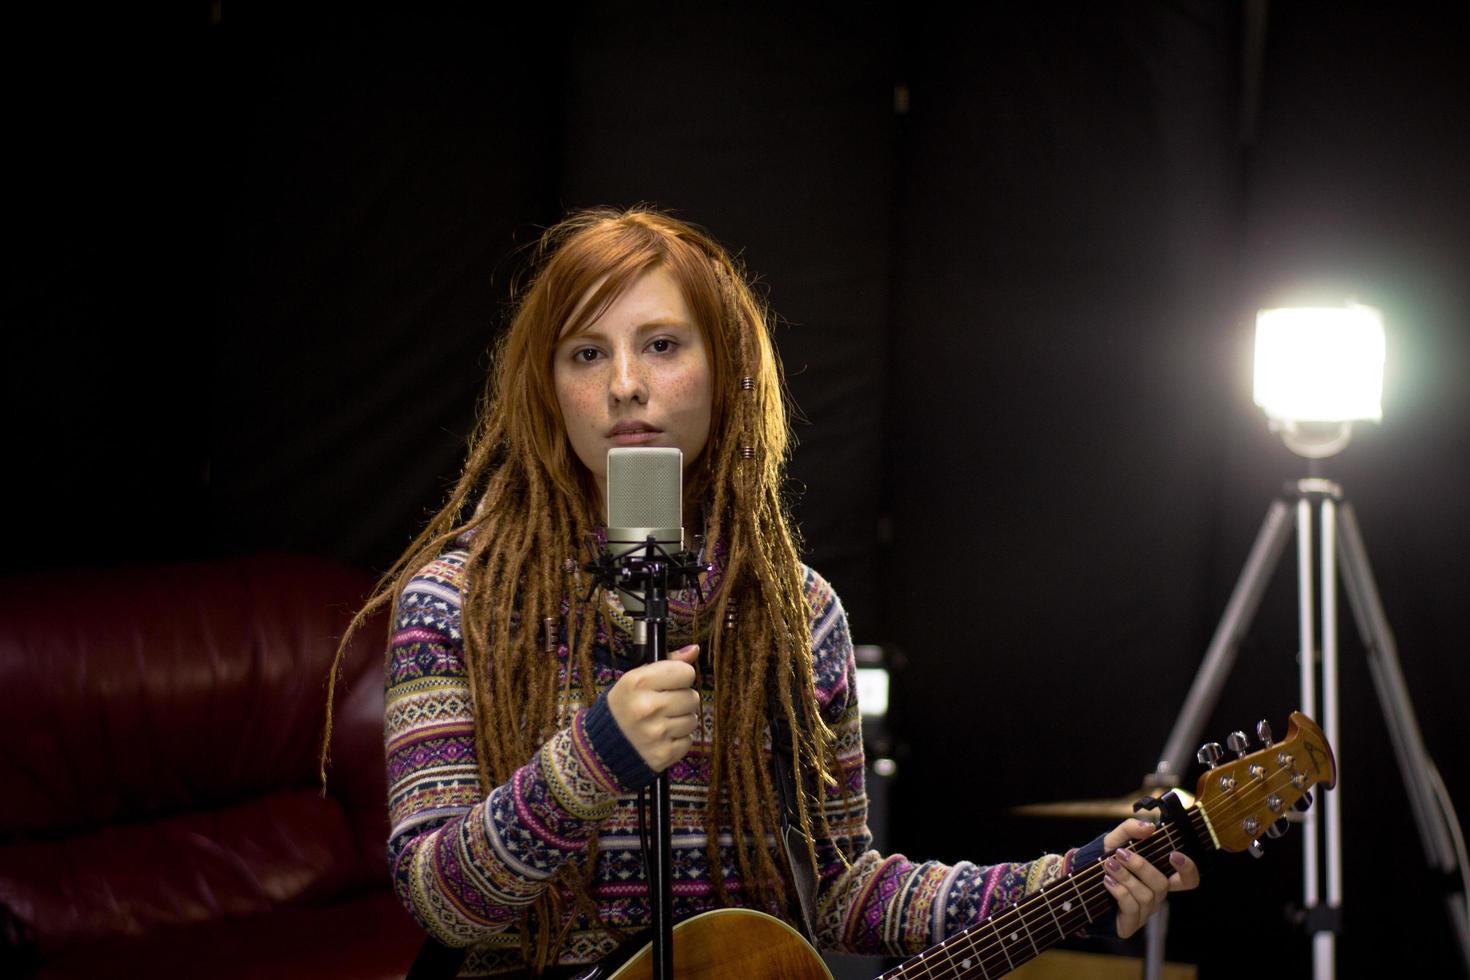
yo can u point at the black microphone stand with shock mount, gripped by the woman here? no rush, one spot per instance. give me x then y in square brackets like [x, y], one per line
[649, 571]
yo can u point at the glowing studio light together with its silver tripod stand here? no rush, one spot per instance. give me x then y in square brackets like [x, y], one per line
[1318, 371]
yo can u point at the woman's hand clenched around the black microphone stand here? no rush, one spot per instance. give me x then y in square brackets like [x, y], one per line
[658, 707]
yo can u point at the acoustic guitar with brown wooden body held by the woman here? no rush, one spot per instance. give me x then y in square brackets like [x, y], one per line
[1236, 804]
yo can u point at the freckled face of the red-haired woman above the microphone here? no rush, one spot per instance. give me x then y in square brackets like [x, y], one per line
[639, 375]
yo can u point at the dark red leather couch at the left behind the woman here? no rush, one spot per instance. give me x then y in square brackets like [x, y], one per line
[159, 803]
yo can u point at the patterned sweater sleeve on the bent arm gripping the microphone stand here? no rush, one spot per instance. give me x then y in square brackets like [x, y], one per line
[462, 865]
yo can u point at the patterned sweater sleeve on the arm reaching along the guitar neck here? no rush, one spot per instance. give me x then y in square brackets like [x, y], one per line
[887, 904]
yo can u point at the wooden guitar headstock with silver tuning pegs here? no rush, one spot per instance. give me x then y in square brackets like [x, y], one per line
[1244, 799]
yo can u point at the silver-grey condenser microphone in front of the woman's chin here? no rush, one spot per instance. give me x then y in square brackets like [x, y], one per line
[645, 500]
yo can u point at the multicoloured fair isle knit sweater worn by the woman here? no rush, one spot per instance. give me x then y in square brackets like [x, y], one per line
[467, 865]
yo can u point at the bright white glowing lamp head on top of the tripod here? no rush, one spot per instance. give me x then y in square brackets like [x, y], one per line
[1321, 365]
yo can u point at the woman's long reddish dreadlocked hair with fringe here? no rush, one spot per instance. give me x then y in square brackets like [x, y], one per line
[531, 505]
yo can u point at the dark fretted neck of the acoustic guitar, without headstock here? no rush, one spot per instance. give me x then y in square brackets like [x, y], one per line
[1017, 935]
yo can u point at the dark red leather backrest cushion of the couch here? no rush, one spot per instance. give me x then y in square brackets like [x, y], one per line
[145, 693]
